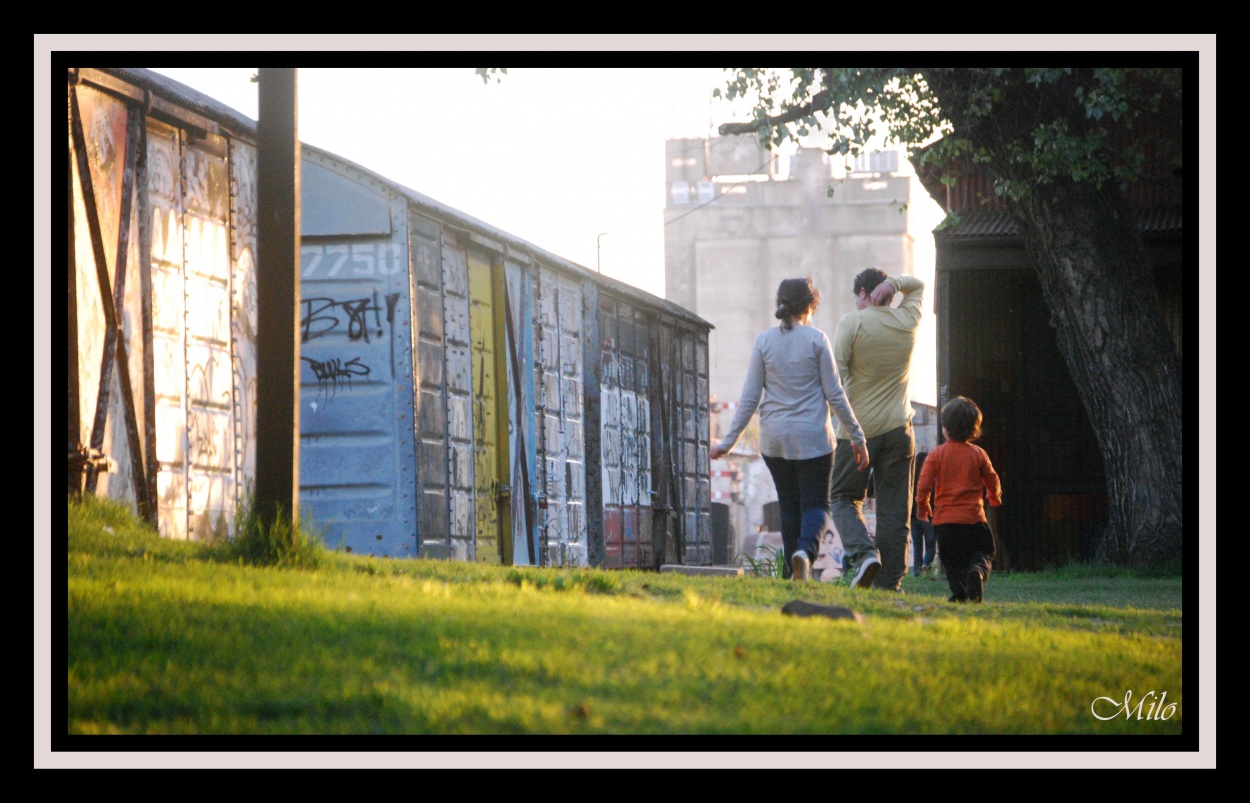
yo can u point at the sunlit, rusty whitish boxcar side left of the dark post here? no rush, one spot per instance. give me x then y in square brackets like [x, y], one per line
[164, 350]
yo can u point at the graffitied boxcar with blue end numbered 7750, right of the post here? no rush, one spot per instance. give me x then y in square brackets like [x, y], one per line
[553, 416]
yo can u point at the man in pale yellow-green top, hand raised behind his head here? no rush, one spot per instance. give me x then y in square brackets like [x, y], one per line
[873, 351]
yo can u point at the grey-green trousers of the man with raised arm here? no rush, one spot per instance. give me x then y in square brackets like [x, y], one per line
[893, 462]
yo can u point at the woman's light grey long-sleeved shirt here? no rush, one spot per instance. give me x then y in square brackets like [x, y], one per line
[796, 373]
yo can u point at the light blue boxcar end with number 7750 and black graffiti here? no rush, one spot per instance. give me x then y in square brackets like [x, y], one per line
[358, 468]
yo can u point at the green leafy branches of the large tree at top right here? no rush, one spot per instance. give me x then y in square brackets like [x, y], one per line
[1029, 126]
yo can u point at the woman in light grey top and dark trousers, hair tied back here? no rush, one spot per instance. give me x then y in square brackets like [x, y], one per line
[793, 368]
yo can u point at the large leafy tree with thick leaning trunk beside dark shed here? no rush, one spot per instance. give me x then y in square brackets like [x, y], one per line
[1061, 147]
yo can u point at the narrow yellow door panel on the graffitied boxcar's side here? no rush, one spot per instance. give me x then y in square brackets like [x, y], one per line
[491, 493]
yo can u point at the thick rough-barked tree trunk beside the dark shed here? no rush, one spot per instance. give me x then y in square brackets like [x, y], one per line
[1104, 308]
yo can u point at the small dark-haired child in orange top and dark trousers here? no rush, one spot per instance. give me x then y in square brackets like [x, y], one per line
[959, 475]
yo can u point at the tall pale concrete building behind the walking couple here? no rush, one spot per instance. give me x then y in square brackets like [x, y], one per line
[739, 221]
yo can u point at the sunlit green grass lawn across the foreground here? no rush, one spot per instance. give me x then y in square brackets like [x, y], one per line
[188, 639]
